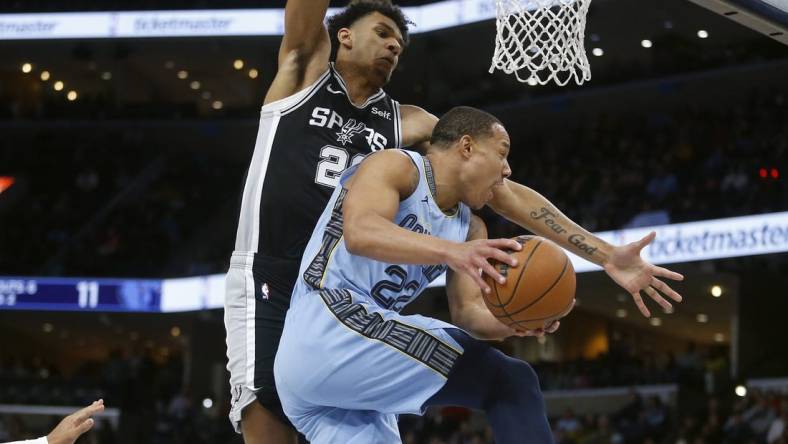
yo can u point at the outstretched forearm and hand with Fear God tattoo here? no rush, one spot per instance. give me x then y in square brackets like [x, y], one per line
[623, 264]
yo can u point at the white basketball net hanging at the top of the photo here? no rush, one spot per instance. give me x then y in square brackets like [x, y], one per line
[542, 40]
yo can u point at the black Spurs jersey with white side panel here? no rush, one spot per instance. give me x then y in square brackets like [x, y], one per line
[304, 143]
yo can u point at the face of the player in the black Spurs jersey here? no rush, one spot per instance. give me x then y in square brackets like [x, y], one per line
[377, 43]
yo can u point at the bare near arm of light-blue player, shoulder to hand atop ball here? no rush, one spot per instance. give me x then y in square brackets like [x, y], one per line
[382, 181]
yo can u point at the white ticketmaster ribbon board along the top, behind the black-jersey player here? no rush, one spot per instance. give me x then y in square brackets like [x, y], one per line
[209, 23]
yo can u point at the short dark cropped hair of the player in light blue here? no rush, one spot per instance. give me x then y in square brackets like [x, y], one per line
[460, 121]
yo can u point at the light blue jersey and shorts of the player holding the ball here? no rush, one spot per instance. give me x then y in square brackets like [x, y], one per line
[348, 361]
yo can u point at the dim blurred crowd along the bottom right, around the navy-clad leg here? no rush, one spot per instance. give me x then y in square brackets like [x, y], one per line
[758, 418]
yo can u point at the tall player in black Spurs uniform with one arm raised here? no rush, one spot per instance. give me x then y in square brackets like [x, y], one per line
[317, 119]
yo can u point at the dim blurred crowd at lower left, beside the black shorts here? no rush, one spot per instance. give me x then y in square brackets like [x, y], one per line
[147, 390]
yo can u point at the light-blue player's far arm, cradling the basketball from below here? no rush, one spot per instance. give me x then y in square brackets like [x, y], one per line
[467, 307]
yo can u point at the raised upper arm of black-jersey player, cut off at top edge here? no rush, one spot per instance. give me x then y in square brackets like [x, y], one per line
[305, 49]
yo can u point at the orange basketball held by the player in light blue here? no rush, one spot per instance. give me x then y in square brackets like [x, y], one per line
[538, 290]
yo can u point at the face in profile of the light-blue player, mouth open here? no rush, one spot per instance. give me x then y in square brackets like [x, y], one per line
[488, 167]
